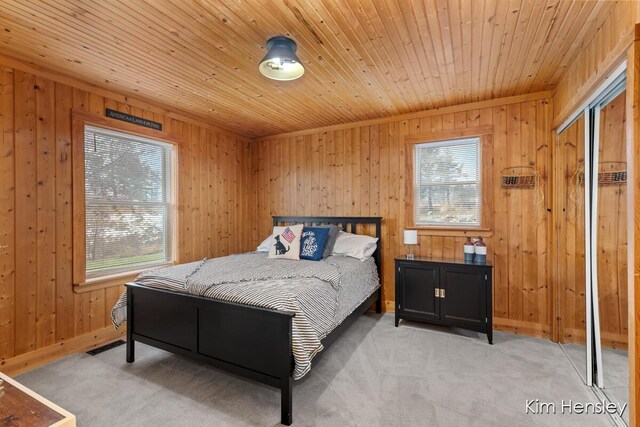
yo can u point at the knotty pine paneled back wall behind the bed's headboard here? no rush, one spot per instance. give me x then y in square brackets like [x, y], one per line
[359, 169]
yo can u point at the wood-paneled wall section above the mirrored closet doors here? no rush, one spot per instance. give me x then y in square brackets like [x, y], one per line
[597, 57]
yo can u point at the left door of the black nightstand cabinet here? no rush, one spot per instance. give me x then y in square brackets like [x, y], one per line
[417, 290]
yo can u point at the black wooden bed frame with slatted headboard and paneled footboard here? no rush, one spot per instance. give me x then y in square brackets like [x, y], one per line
[249, 341]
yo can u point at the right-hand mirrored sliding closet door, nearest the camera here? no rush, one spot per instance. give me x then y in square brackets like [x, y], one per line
[610, 247]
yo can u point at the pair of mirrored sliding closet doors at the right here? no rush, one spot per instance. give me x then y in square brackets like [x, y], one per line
[592, 246]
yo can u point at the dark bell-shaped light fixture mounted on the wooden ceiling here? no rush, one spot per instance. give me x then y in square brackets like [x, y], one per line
[281, 61]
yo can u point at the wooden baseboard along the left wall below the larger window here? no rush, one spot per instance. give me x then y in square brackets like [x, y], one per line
[42, 356]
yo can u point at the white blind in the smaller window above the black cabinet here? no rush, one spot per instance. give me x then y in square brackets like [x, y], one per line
[447, 183]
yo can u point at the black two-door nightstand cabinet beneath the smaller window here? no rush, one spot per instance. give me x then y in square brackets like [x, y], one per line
[445, 292]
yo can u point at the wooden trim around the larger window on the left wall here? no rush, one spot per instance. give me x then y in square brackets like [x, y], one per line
[80, 119]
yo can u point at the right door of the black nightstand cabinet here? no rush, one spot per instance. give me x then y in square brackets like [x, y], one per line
[465, 297]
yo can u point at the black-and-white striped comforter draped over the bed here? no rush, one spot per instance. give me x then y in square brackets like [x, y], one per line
[310, 289]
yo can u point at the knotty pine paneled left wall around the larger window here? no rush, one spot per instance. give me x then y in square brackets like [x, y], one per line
[41, 316]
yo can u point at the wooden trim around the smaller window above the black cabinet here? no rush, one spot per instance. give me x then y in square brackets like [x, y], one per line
[485, 134]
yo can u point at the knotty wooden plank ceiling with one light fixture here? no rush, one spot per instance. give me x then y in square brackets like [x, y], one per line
[364, 58]
